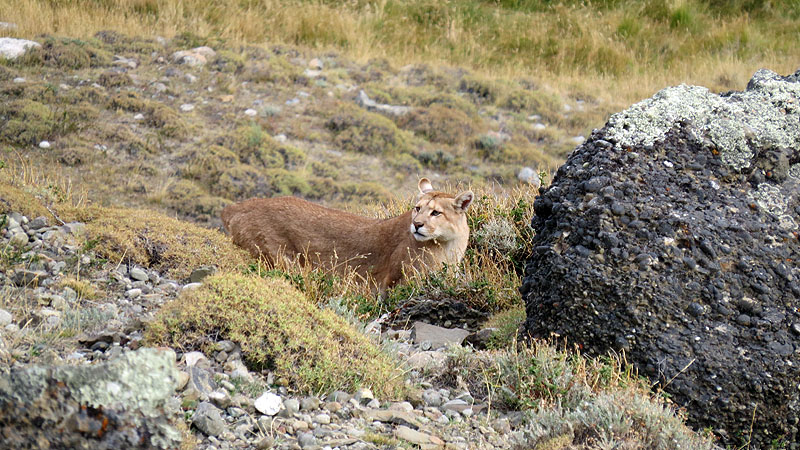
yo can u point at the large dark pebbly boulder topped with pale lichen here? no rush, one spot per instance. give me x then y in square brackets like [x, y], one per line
[672, 234]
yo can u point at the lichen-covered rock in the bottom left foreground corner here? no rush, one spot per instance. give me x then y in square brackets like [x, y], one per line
[119, 404]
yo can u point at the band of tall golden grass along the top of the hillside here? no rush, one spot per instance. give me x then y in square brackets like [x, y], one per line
[618, 51]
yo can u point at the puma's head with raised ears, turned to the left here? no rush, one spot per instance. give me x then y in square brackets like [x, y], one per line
[438, 216]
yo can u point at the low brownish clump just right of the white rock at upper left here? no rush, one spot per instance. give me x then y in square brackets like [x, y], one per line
[66, 53]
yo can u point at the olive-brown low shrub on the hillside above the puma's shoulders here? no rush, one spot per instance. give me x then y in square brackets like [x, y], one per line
[360, 131]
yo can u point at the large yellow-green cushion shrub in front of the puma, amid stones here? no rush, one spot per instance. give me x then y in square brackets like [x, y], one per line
[277, 329]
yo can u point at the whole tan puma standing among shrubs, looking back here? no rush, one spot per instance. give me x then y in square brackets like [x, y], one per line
[379, 250]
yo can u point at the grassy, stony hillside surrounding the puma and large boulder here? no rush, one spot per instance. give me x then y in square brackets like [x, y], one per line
[125, 133]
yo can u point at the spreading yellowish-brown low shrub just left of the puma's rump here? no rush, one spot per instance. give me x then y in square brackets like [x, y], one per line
[154, 240]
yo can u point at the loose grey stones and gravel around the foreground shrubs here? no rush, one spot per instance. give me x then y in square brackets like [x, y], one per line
[62, 306]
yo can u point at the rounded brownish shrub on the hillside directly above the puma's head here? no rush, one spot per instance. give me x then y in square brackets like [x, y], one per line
[439, 124]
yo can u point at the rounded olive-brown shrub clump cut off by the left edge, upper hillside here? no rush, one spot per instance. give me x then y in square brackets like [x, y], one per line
[26, 122]
